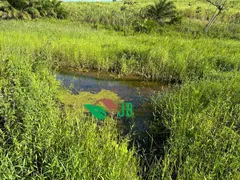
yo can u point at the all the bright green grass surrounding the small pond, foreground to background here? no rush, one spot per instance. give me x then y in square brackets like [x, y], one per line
[42, 138]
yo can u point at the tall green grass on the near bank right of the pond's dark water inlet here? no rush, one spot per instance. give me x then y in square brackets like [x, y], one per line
[203, 118]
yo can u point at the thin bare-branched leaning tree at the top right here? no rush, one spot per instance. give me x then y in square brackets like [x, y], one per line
[220, 5]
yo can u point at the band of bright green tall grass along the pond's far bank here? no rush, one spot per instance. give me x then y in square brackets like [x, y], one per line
[166, 57]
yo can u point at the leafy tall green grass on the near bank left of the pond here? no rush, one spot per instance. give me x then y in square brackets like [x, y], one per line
[40, 139]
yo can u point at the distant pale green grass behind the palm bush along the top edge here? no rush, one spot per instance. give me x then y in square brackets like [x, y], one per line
[122, 16]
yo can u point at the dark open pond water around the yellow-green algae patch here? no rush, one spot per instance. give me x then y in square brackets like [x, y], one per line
[133, 90]
